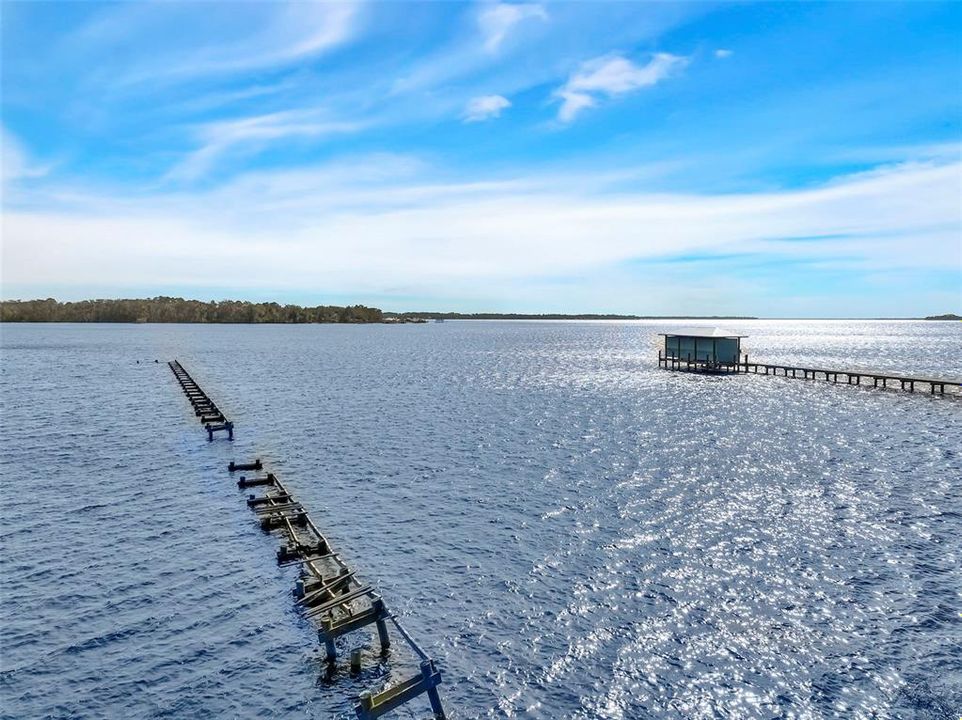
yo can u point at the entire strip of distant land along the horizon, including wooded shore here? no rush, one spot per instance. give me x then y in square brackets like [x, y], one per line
[178, 310]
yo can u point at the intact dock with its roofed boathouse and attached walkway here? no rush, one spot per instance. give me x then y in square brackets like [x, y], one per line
[713, 351]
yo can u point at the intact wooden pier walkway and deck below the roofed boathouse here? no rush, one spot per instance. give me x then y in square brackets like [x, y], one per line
[849, 377]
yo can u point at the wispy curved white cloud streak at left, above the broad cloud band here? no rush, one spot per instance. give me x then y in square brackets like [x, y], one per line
[251, 134]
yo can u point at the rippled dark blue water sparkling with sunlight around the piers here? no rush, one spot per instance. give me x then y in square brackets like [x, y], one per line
[568, 530]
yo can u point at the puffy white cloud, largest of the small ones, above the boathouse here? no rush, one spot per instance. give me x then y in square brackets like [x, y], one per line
[612, 75]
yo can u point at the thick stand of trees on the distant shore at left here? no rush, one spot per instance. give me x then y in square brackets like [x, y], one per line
[178, 310]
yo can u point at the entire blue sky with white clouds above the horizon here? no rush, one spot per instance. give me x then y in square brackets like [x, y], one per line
[794, 159]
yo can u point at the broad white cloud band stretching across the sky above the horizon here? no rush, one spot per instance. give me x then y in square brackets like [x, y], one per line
[370, 225]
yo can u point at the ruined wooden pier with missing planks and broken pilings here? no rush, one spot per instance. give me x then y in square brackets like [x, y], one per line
[327, 590]
